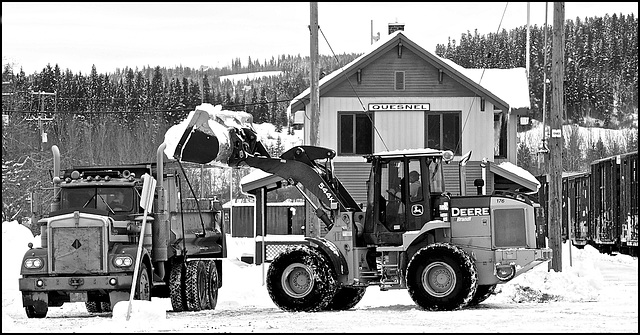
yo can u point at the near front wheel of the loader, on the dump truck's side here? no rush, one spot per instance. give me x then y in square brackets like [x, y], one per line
[300, 279]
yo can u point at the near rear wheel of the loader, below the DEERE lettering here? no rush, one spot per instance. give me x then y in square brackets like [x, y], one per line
[441, 277]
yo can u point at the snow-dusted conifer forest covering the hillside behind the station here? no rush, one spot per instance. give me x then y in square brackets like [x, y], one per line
[81, 112]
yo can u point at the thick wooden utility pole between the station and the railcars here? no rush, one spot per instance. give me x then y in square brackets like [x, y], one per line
[556, 140]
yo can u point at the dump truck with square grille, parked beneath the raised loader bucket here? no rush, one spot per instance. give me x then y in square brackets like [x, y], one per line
[90, 240]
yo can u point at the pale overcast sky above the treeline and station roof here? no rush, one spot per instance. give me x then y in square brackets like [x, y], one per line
[117, 34]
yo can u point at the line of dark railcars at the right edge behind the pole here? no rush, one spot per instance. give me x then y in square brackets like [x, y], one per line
[600, 205]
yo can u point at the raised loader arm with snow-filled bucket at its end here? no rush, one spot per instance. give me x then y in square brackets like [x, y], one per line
[208, 138]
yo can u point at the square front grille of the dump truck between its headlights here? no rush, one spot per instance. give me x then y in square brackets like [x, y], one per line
[77, 249]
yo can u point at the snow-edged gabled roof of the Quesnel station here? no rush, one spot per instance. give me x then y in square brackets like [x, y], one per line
[466, 76]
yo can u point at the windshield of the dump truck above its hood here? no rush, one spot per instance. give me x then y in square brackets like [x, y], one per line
[105, 198]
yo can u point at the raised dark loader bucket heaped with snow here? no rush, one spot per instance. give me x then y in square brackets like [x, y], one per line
[198, 143]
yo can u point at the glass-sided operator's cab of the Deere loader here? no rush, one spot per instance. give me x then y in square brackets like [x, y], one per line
[401, 193]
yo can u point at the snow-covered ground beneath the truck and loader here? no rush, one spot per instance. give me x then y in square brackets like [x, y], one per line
[599, 293]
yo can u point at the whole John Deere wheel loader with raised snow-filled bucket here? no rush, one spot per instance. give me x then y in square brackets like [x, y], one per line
[448, 251]
